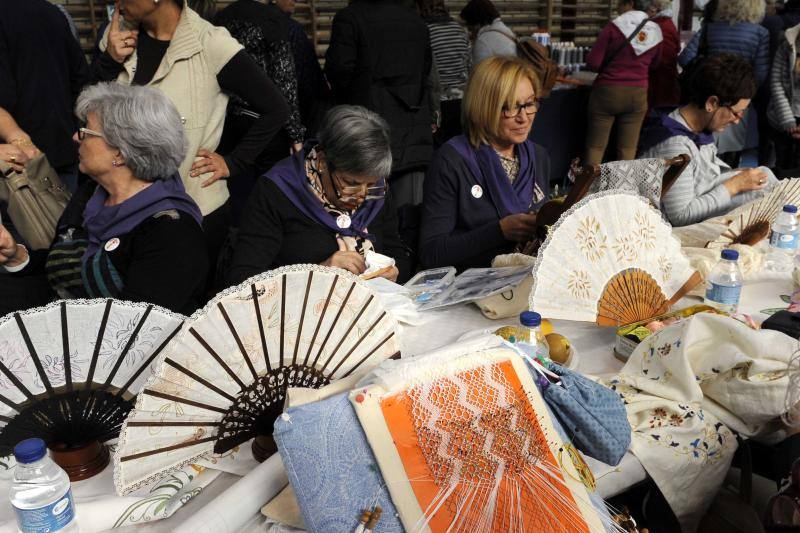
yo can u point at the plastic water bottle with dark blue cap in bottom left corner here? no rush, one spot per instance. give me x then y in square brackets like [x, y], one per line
[40, 492]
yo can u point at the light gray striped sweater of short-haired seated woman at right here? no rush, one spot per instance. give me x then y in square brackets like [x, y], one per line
[699, 192]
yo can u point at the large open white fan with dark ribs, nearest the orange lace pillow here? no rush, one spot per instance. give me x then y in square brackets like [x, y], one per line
[224, 379]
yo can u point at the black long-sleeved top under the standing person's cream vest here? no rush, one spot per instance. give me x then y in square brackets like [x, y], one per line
[239, 76]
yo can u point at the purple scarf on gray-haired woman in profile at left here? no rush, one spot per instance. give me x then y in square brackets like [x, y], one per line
[106, 222]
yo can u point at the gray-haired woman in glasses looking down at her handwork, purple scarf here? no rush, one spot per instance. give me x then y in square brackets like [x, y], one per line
[327, 204]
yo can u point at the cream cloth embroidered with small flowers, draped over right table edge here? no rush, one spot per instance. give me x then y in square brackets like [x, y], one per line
[686, 388]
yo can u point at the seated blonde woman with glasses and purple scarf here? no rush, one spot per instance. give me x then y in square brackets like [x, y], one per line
[483, 188]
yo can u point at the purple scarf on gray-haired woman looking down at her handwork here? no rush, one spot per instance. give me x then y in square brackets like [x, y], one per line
[290, 177]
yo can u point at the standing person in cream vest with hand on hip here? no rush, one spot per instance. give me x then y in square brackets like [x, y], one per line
[164, 44]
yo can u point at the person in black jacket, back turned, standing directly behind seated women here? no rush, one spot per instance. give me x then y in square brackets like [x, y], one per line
[380, 58]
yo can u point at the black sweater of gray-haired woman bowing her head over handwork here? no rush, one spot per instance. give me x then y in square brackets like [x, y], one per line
[274, 233]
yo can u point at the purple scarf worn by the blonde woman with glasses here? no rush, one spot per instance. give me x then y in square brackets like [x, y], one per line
[508, 198]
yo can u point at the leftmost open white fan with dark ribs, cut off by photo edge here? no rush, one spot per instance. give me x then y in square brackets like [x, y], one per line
[69, 373]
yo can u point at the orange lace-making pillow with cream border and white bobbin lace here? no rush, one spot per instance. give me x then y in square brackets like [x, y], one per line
[467, 444]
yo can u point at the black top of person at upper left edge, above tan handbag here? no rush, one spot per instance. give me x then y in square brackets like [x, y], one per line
[42, 71]
